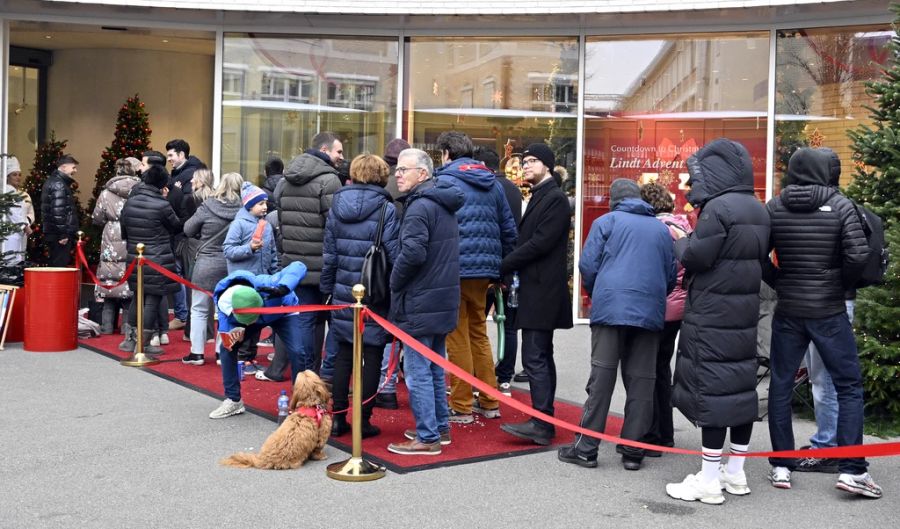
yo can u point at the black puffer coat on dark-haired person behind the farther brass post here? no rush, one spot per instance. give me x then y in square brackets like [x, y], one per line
[148, 218]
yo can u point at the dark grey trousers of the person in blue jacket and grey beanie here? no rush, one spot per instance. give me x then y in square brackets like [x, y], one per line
[636, 349]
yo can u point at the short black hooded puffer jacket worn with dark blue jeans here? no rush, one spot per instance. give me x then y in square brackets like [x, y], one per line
[817, 237]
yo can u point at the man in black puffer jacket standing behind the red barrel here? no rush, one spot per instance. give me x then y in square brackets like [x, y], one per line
[59, 212]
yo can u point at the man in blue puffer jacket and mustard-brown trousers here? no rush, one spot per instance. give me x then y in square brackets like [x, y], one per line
[487, 232]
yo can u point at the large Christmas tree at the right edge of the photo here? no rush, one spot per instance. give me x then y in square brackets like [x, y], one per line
[877, 185]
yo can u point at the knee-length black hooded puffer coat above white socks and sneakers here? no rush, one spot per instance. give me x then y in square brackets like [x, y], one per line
[715, 370]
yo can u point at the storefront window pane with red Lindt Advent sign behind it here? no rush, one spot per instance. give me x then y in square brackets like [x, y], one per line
[651, 102]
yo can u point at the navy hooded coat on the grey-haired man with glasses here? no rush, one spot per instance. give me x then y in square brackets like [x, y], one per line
[425, 278]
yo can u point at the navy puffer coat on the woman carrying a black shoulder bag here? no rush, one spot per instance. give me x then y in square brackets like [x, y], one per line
[349, 233]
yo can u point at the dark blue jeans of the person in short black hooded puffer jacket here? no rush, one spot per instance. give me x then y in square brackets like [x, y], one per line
[833, 337]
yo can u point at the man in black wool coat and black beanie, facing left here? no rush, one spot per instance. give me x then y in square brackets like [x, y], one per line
[544, 300]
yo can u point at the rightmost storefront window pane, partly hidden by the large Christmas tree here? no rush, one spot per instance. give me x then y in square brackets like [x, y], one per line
[820, 92]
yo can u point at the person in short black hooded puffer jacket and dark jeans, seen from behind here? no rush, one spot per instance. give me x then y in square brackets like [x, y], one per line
[822, 251]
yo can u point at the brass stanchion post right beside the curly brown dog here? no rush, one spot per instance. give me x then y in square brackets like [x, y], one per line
[356, 468]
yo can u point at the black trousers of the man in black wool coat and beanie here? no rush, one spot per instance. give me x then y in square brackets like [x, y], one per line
[537, 359]
